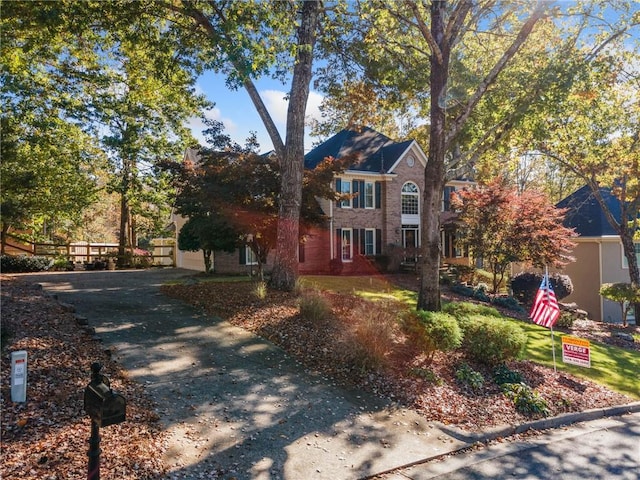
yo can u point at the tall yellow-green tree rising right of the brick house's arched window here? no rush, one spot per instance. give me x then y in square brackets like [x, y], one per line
[473, 72]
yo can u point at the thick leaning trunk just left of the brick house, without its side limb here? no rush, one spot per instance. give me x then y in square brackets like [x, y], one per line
[285, 269]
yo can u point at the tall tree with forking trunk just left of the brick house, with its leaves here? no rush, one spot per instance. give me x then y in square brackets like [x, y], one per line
[246, 40]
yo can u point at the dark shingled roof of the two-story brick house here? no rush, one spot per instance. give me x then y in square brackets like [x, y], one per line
[376, 152]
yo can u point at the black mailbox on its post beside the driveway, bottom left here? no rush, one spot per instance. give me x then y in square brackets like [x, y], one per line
[105, 407]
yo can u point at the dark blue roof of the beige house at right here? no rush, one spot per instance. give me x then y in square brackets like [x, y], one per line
[585, 215]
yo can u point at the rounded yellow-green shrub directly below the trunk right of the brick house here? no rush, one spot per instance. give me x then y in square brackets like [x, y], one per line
[433, 331]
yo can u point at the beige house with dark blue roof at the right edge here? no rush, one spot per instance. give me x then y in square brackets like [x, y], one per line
[599, 257]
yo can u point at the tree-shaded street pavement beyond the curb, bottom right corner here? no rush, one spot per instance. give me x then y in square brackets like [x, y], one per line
[605, 449]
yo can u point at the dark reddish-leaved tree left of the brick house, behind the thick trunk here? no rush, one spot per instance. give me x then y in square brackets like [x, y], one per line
[231, 191]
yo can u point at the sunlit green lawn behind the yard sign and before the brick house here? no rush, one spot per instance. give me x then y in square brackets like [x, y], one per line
[617, 368]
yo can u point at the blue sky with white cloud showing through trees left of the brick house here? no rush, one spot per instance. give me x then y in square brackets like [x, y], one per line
[236, 111]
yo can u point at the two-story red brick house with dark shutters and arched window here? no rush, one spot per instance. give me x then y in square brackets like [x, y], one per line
[380, 222]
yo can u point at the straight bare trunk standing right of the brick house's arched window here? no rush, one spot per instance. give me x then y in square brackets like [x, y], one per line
[429, 294]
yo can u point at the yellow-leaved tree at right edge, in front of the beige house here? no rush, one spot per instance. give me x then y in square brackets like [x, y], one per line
[594, 133]
